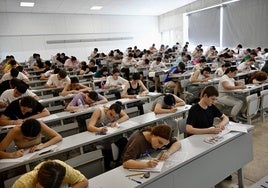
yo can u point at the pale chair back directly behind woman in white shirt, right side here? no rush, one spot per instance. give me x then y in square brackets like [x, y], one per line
[253, 102]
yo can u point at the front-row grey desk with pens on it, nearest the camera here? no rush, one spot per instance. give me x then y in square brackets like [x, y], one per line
[204, 165]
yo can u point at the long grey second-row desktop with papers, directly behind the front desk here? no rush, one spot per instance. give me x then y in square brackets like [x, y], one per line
[78, 140]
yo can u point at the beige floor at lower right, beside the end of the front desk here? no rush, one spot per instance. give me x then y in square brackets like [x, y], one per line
[258, 168]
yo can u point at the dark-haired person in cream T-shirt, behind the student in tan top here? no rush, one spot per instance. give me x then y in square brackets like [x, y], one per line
[58, 80]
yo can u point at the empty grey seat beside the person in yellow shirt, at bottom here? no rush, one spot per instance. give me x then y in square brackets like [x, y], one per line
[88, 161]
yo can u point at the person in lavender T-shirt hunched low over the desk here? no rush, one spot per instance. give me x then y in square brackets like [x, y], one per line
[88, 99]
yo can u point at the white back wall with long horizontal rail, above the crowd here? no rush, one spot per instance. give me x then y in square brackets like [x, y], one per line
[22, 34]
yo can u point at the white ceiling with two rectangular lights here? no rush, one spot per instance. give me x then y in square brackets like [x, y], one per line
[112, 7]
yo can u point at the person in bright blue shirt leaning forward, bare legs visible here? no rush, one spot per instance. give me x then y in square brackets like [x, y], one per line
[180, 69]
